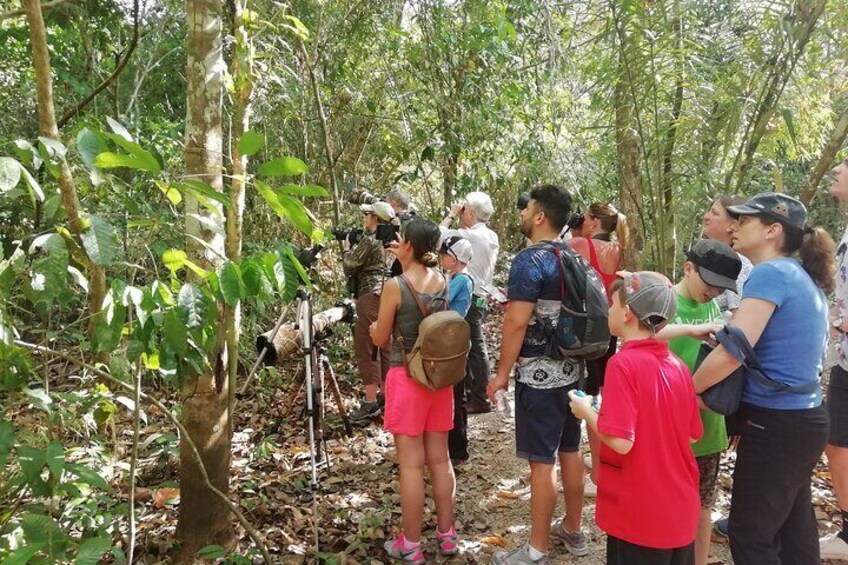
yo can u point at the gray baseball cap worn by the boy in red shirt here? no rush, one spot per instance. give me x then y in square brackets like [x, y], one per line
[651, 297]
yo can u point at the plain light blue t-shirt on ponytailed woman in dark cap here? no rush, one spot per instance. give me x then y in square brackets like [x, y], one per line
[792, 347]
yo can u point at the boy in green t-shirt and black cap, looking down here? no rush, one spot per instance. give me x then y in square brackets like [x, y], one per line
[710, 268]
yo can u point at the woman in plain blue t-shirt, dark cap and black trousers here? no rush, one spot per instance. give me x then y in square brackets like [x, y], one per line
[783, 314]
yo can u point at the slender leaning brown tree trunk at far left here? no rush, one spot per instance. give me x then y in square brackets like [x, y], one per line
[47, 128]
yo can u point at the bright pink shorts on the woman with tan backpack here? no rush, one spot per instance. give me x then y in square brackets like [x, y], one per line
[412, 409]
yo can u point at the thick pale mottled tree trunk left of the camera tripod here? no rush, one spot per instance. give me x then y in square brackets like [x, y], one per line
[204, 519]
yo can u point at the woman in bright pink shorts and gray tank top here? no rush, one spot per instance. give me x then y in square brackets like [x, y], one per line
[418, 418]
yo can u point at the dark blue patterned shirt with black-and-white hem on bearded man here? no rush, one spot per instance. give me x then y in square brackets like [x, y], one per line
[535, 277]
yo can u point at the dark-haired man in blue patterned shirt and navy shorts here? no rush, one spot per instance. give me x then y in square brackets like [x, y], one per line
[545, 428]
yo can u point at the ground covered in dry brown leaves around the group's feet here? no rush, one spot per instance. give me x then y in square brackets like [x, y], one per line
[358, 502]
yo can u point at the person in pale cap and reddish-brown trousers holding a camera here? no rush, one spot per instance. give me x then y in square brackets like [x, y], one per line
[365, 267]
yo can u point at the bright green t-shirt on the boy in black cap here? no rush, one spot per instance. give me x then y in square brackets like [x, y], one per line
[714, 439]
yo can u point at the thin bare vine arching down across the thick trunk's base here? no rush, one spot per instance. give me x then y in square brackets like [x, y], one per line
[251, 531]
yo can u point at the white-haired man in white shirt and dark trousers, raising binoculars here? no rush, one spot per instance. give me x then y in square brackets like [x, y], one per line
[473, 213]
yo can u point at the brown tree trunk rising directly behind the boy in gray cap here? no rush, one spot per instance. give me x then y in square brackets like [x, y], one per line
[629, 154]
